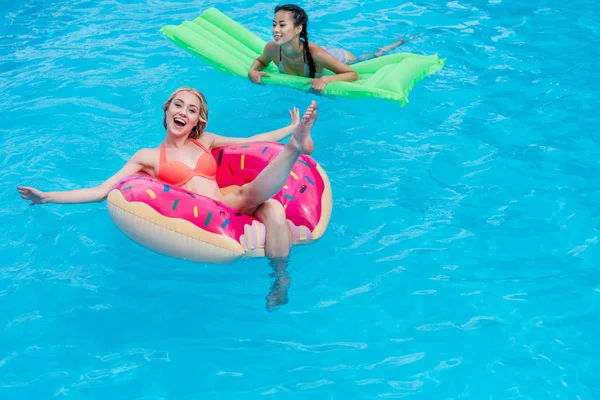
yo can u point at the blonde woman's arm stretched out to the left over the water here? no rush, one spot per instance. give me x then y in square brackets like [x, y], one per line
[139, 161]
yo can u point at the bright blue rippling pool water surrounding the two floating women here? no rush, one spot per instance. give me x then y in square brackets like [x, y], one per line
[461, 260]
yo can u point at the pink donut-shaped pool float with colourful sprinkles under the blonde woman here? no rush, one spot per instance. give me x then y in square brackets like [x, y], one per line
[175, 222]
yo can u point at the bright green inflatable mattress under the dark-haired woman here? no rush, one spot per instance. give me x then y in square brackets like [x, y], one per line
[228, 46]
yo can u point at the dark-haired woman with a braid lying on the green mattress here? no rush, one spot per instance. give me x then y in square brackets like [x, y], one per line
[293, 54]
